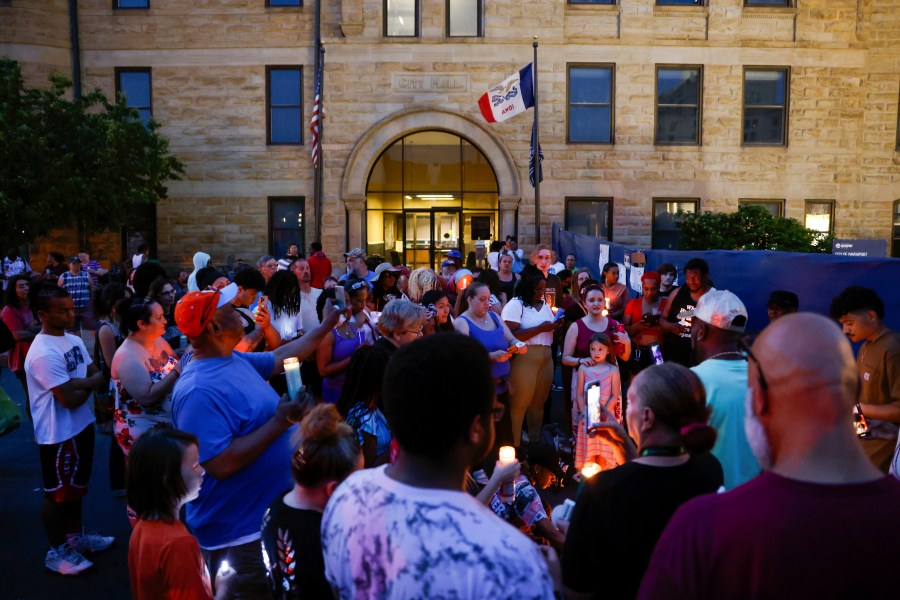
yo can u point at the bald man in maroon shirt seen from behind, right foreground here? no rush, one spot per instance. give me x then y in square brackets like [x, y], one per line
[821, 521]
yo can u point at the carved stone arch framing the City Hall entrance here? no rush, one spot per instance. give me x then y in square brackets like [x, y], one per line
[385, 132]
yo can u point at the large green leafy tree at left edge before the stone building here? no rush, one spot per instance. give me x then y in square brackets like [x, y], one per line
[63, 162]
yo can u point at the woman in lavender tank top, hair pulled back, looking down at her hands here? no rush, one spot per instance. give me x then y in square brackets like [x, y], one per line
[481, 323]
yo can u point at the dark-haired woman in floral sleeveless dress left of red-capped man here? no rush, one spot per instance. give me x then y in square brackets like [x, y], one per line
[144, 370]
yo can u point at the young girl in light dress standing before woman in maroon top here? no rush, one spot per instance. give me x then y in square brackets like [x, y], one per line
[601, 368]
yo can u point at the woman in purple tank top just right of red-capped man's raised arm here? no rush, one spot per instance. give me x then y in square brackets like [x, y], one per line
[335, 350]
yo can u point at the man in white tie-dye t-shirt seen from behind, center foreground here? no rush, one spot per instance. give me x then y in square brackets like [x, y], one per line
[409, 530]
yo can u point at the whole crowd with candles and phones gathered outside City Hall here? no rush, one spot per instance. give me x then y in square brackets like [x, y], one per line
[275, 431]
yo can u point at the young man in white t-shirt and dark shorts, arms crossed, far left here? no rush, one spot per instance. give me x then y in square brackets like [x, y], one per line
[61, 378]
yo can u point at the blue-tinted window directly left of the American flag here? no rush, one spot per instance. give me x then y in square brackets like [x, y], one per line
[284, 98]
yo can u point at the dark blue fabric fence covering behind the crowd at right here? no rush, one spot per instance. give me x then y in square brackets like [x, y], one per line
[753, 274]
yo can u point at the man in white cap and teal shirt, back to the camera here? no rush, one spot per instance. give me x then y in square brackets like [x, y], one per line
[717, 325]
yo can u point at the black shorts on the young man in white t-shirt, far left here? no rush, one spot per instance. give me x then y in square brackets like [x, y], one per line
[66, 466]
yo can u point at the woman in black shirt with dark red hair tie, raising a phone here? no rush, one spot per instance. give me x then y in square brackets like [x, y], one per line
[627, 508]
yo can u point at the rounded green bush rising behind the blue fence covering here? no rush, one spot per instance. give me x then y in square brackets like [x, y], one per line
[750, 228]
